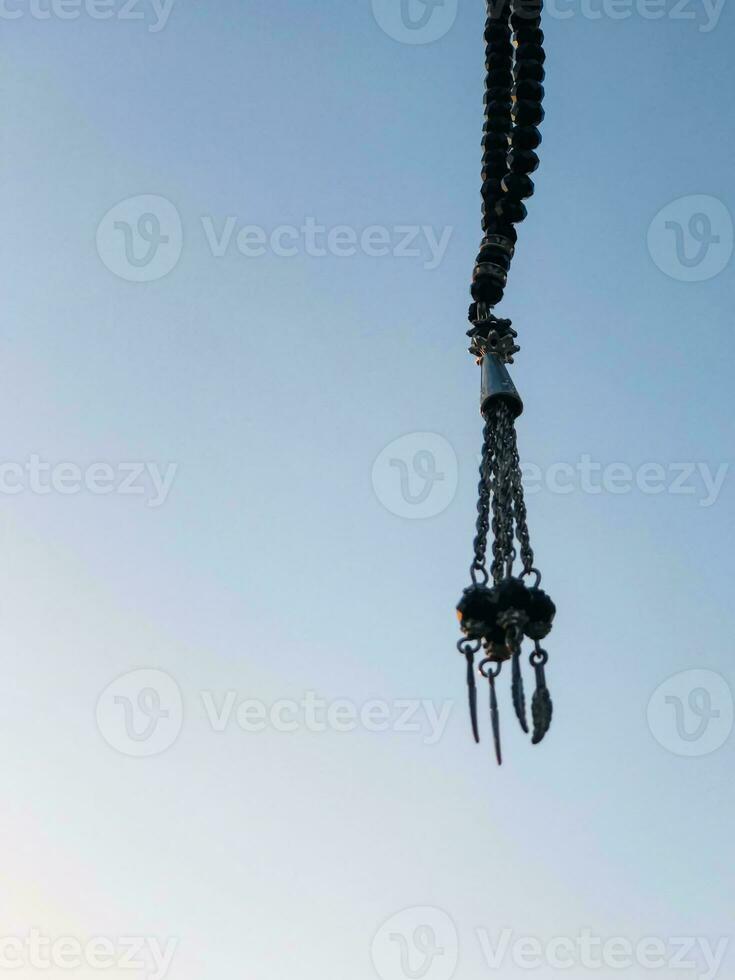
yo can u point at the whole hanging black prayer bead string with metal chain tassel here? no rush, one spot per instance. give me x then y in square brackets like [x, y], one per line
[496, 617]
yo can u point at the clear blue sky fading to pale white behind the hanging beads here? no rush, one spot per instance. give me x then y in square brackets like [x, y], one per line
[274, 568]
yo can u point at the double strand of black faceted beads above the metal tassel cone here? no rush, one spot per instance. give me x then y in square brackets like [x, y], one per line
[513, 111]
